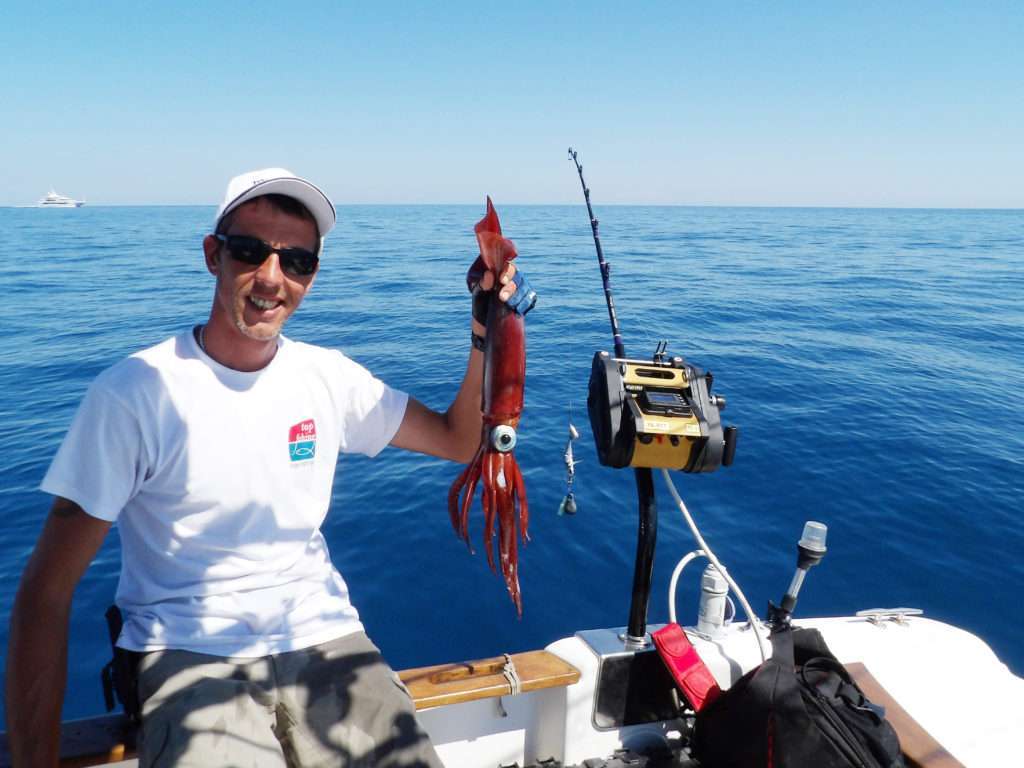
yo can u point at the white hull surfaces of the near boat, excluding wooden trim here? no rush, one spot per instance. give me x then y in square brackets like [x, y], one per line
[947, 679]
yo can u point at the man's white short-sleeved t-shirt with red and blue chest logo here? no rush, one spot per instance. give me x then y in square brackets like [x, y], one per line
[220, 481]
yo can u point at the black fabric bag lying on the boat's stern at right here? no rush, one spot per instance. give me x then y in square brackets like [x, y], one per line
[798, 710]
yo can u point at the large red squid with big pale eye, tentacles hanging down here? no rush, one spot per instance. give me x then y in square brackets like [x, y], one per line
[504, 494]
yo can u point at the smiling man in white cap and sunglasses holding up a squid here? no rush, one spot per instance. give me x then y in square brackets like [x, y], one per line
[216, 453]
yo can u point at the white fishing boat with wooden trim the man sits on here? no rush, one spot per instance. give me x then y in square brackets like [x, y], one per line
[599, 700]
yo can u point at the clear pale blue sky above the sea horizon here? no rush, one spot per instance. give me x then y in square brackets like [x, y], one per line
[859, 104]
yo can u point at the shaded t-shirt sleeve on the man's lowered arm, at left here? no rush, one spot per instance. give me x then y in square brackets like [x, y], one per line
[101, 464]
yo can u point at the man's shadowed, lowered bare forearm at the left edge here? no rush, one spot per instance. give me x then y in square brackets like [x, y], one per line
[37, 671]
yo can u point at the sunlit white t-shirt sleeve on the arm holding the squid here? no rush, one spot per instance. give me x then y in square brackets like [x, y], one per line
[373, 411]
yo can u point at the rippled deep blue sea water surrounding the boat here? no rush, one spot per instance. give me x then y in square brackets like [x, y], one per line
[874, 361]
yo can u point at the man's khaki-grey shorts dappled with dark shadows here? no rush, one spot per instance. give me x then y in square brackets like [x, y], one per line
[334, 705]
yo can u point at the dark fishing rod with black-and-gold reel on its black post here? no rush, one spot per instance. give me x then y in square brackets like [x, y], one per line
[650, 415]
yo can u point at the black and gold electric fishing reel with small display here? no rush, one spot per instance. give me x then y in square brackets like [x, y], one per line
[658, 414]
